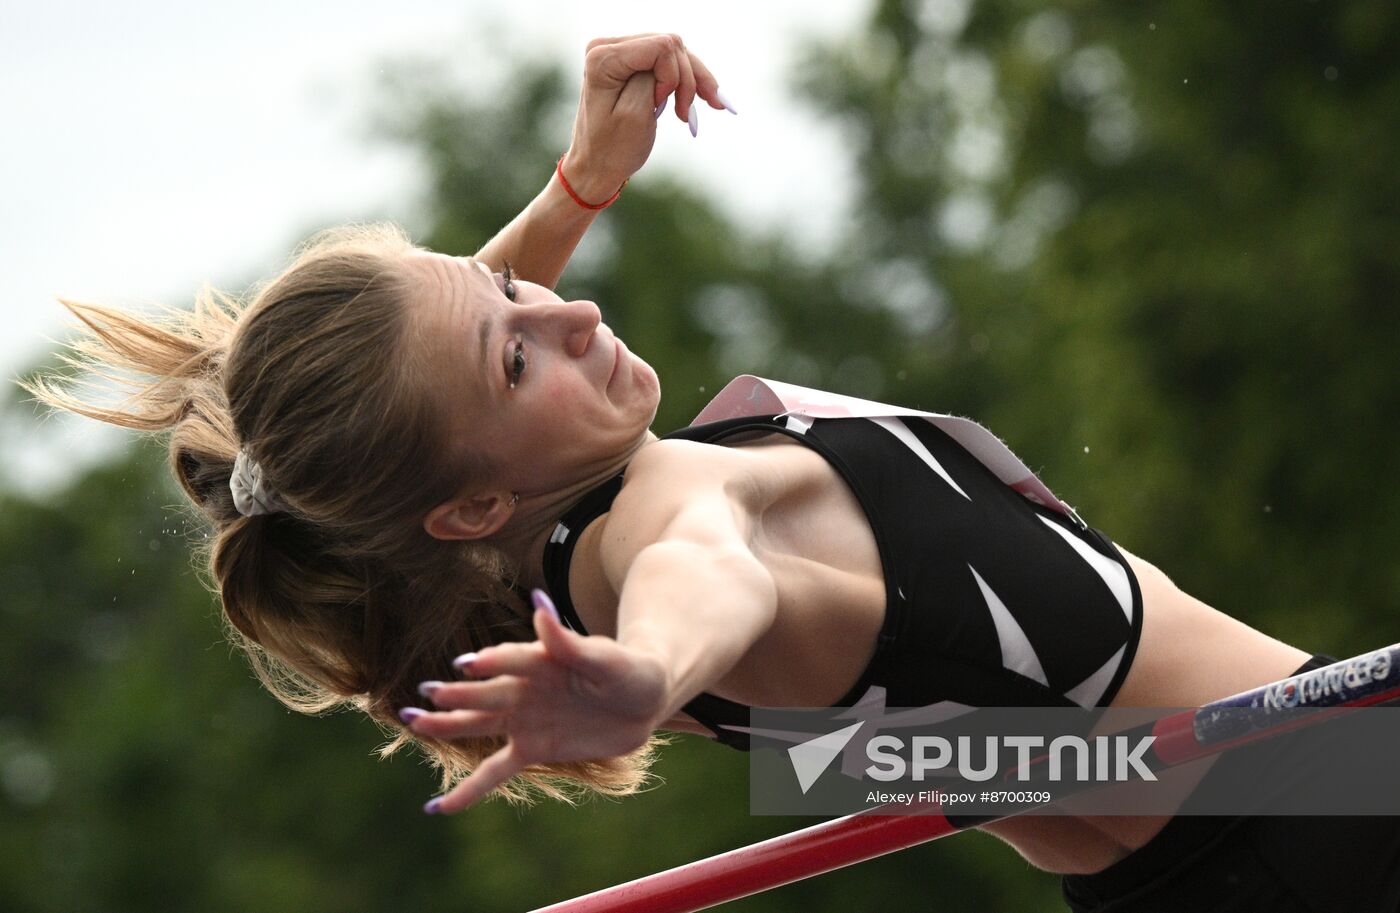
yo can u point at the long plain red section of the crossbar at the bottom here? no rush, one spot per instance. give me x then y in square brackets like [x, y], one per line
[769, 865]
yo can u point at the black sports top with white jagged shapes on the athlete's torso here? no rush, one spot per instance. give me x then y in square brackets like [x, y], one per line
[992, 600]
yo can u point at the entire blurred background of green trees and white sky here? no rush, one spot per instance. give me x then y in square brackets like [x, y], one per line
[1156, 247]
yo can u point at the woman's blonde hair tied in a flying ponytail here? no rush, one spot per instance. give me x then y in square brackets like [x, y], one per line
[344, 599]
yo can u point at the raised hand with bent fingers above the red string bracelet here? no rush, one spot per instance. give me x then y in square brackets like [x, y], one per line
[626, 85]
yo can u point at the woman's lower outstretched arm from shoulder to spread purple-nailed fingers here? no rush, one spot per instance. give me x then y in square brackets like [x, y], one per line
[695, 600]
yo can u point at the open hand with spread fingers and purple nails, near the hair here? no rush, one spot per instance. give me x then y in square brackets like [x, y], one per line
[561, 698]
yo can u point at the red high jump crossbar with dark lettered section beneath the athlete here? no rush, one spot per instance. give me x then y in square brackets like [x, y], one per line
[1181, 737]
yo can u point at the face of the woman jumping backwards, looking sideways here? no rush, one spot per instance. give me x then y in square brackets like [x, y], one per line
[534, 383]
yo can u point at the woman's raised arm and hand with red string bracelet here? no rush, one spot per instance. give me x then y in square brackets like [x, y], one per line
[626, 82]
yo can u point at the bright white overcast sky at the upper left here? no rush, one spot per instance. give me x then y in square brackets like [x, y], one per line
[153, 146]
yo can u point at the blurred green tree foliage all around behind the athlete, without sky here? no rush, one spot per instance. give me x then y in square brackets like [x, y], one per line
[1153, 246]
